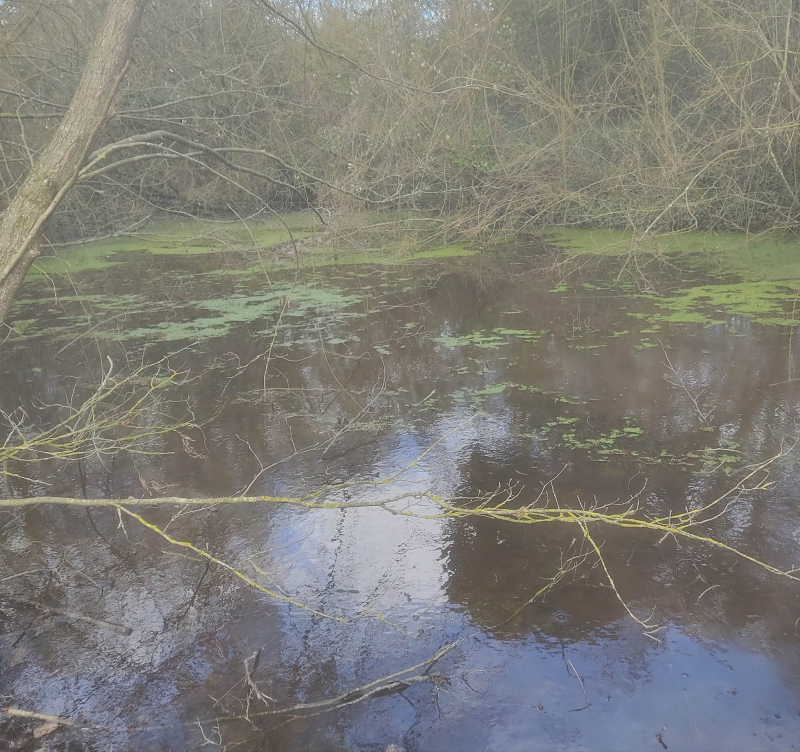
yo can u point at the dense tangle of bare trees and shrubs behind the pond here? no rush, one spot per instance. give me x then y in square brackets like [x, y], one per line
[496, 115]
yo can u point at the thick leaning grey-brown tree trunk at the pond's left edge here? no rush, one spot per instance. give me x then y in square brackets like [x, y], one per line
[57, 168]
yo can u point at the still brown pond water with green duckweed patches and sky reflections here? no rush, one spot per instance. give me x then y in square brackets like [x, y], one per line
[341, 375]
